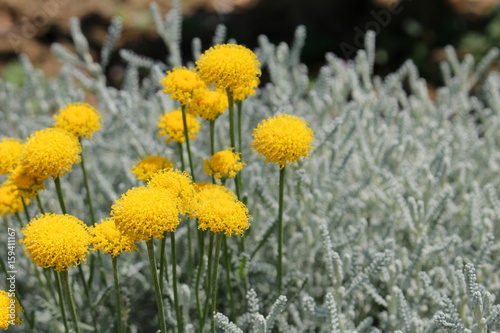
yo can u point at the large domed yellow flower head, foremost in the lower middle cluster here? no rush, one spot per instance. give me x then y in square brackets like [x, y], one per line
[145, 212]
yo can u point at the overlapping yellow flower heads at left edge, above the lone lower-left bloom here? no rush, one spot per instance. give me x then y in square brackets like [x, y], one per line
[49, 152]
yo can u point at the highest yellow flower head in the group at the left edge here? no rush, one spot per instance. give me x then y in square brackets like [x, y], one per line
[80, 119]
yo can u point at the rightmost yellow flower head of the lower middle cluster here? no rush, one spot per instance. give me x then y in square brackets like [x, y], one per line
[217, 209]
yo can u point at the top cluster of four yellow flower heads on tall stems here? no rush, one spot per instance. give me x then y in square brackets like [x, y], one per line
[222, 69]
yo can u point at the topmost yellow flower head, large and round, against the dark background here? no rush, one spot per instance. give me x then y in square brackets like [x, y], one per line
[228, 66]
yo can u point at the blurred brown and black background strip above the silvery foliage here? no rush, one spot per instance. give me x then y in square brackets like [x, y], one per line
[405, 29]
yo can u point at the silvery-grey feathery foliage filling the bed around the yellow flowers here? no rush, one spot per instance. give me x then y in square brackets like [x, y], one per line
[390, 225]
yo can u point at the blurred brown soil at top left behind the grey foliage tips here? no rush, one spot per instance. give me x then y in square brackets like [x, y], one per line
[30, 27]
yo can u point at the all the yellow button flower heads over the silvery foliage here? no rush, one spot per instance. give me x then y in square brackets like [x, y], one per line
[223, 74]
